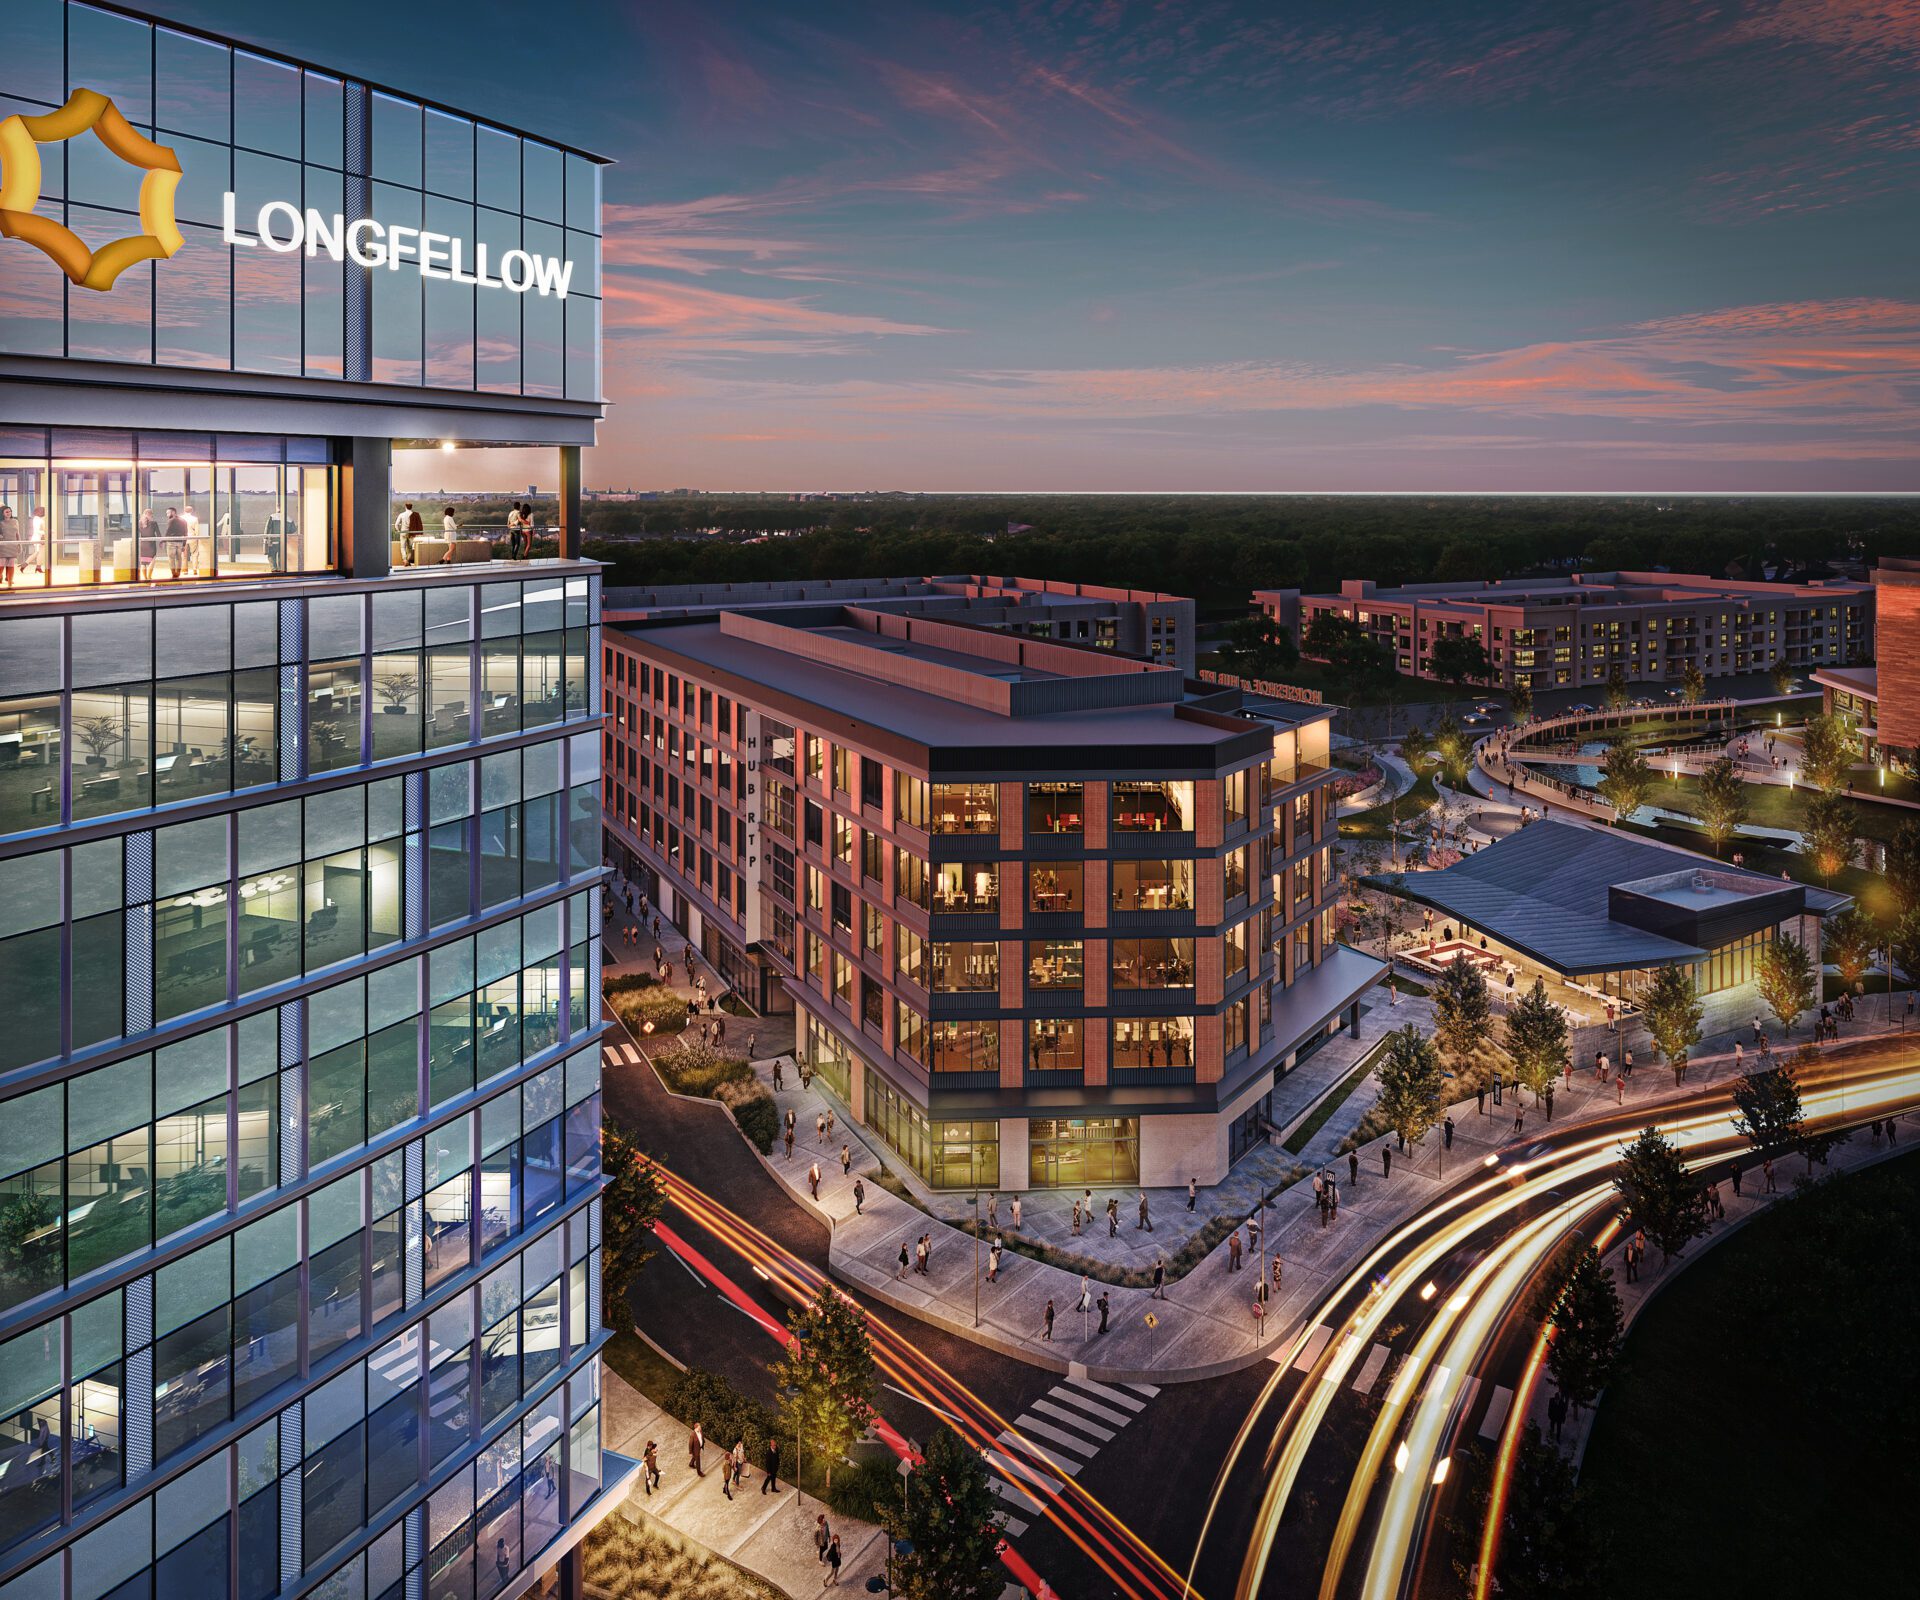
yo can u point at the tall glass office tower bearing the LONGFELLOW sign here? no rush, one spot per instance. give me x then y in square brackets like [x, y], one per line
[300, 871]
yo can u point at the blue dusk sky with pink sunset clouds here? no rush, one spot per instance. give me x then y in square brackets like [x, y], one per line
[1113, 245]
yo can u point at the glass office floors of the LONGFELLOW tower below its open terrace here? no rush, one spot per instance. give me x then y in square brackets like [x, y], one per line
[300, 1090]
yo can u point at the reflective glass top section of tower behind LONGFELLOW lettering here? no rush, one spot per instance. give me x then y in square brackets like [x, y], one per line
[266, 132]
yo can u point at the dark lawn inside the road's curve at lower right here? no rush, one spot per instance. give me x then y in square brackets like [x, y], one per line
[1762, 1426]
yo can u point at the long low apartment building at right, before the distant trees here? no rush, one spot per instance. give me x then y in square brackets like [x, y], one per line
[1575, 631]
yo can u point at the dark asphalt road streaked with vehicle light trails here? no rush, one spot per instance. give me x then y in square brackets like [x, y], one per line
[1166, 1472]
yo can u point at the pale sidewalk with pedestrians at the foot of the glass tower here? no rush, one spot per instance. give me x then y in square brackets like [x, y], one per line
[771, 1536]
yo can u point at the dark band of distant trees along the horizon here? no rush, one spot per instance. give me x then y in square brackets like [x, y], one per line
[1218, 548]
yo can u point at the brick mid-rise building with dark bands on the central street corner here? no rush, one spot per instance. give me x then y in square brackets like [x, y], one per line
[1047, 913]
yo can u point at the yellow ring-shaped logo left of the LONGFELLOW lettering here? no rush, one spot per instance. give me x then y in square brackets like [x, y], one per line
[20, 189]
